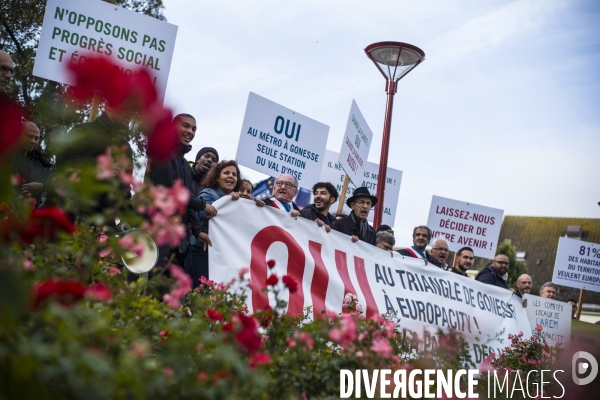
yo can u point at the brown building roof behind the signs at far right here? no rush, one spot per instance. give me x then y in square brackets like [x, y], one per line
[538, 238]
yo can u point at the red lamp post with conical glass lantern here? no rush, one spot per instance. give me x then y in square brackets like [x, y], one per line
[394, 60]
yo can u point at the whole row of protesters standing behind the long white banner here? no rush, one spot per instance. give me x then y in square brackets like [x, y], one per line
[209, 178]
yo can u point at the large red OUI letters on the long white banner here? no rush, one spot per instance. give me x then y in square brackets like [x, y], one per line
[295, 267]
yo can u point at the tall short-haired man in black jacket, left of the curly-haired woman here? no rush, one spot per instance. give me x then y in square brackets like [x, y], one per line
[177, 167]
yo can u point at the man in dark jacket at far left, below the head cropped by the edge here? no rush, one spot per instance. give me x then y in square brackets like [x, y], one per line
[29, 165]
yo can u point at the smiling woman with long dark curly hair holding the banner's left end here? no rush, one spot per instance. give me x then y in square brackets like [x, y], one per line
[221, 180]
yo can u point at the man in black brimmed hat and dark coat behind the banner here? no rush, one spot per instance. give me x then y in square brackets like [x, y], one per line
[356, 224]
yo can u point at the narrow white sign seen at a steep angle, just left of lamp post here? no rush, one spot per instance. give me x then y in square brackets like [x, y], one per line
[356, 144]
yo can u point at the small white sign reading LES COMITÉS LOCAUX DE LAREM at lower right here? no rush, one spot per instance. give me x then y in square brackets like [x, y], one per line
[554, 316]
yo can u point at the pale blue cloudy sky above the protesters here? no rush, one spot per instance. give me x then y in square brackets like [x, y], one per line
[504, 111]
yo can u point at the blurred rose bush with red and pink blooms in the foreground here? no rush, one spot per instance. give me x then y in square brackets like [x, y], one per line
[73, 324]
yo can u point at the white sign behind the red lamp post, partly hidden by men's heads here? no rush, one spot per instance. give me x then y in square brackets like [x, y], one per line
[333, 172]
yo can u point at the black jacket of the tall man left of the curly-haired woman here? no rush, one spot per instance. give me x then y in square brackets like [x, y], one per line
[177, 167]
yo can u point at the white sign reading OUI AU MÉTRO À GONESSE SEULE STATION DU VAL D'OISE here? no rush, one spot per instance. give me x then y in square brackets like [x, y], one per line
[276, 140]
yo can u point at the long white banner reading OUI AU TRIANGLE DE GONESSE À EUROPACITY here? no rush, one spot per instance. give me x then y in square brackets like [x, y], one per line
[327, 266]
